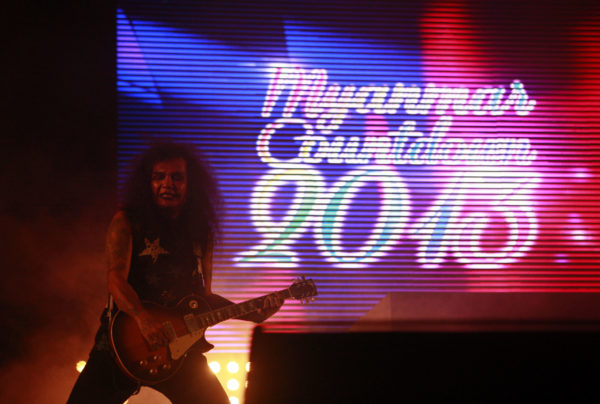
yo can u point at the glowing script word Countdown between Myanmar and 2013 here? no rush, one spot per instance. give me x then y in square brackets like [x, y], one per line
[404, 146]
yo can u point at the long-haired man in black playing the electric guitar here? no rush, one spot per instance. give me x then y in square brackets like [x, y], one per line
[159, 249]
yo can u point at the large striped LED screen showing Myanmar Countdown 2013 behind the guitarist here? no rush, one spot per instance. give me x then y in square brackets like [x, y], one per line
[377, 147]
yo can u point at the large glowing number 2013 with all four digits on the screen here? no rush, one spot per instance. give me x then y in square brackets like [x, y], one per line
[453, 224]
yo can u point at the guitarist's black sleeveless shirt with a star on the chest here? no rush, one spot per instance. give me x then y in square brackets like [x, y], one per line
[164, 266]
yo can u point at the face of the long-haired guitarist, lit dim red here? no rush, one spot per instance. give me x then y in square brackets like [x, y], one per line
[169, 183]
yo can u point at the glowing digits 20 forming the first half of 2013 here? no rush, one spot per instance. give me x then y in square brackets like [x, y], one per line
[325, 210]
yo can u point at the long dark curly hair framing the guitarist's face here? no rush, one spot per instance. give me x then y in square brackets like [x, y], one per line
[201, 211]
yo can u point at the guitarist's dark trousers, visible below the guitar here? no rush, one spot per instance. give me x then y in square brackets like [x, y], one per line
[102, 382]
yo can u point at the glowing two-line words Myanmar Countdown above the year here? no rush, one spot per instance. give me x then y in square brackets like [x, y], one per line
[328, 105]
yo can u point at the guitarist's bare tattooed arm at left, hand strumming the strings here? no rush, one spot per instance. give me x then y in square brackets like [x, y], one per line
[118, 251]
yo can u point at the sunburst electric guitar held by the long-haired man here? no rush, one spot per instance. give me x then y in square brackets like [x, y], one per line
[186, 324]
